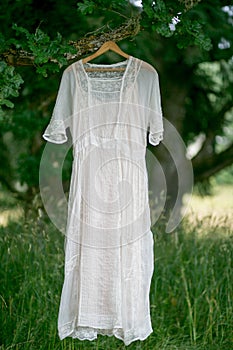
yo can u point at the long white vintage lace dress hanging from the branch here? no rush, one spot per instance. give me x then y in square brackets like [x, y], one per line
[109, 244]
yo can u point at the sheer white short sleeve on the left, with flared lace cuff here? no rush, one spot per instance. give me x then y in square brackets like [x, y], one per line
[63, 110]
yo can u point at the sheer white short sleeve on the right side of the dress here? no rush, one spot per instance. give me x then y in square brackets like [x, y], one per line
[156, 116]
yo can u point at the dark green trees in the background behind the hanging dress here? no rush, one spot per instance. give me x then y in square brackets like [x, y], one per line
[189, 43]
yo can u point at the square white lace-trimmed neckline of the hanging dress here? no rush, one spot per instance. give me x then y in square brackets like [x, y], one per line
[112, 65]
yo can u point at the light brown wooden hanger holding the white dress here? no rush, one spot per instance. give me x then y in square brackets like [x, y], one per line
[108, 45]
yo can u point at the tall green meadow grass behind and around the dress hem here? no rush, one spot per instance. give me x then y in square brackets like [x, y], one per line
[191, 295]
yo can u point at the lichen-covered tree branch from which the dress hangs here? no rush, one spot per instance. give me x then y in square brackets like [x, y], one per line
[87, 44]
